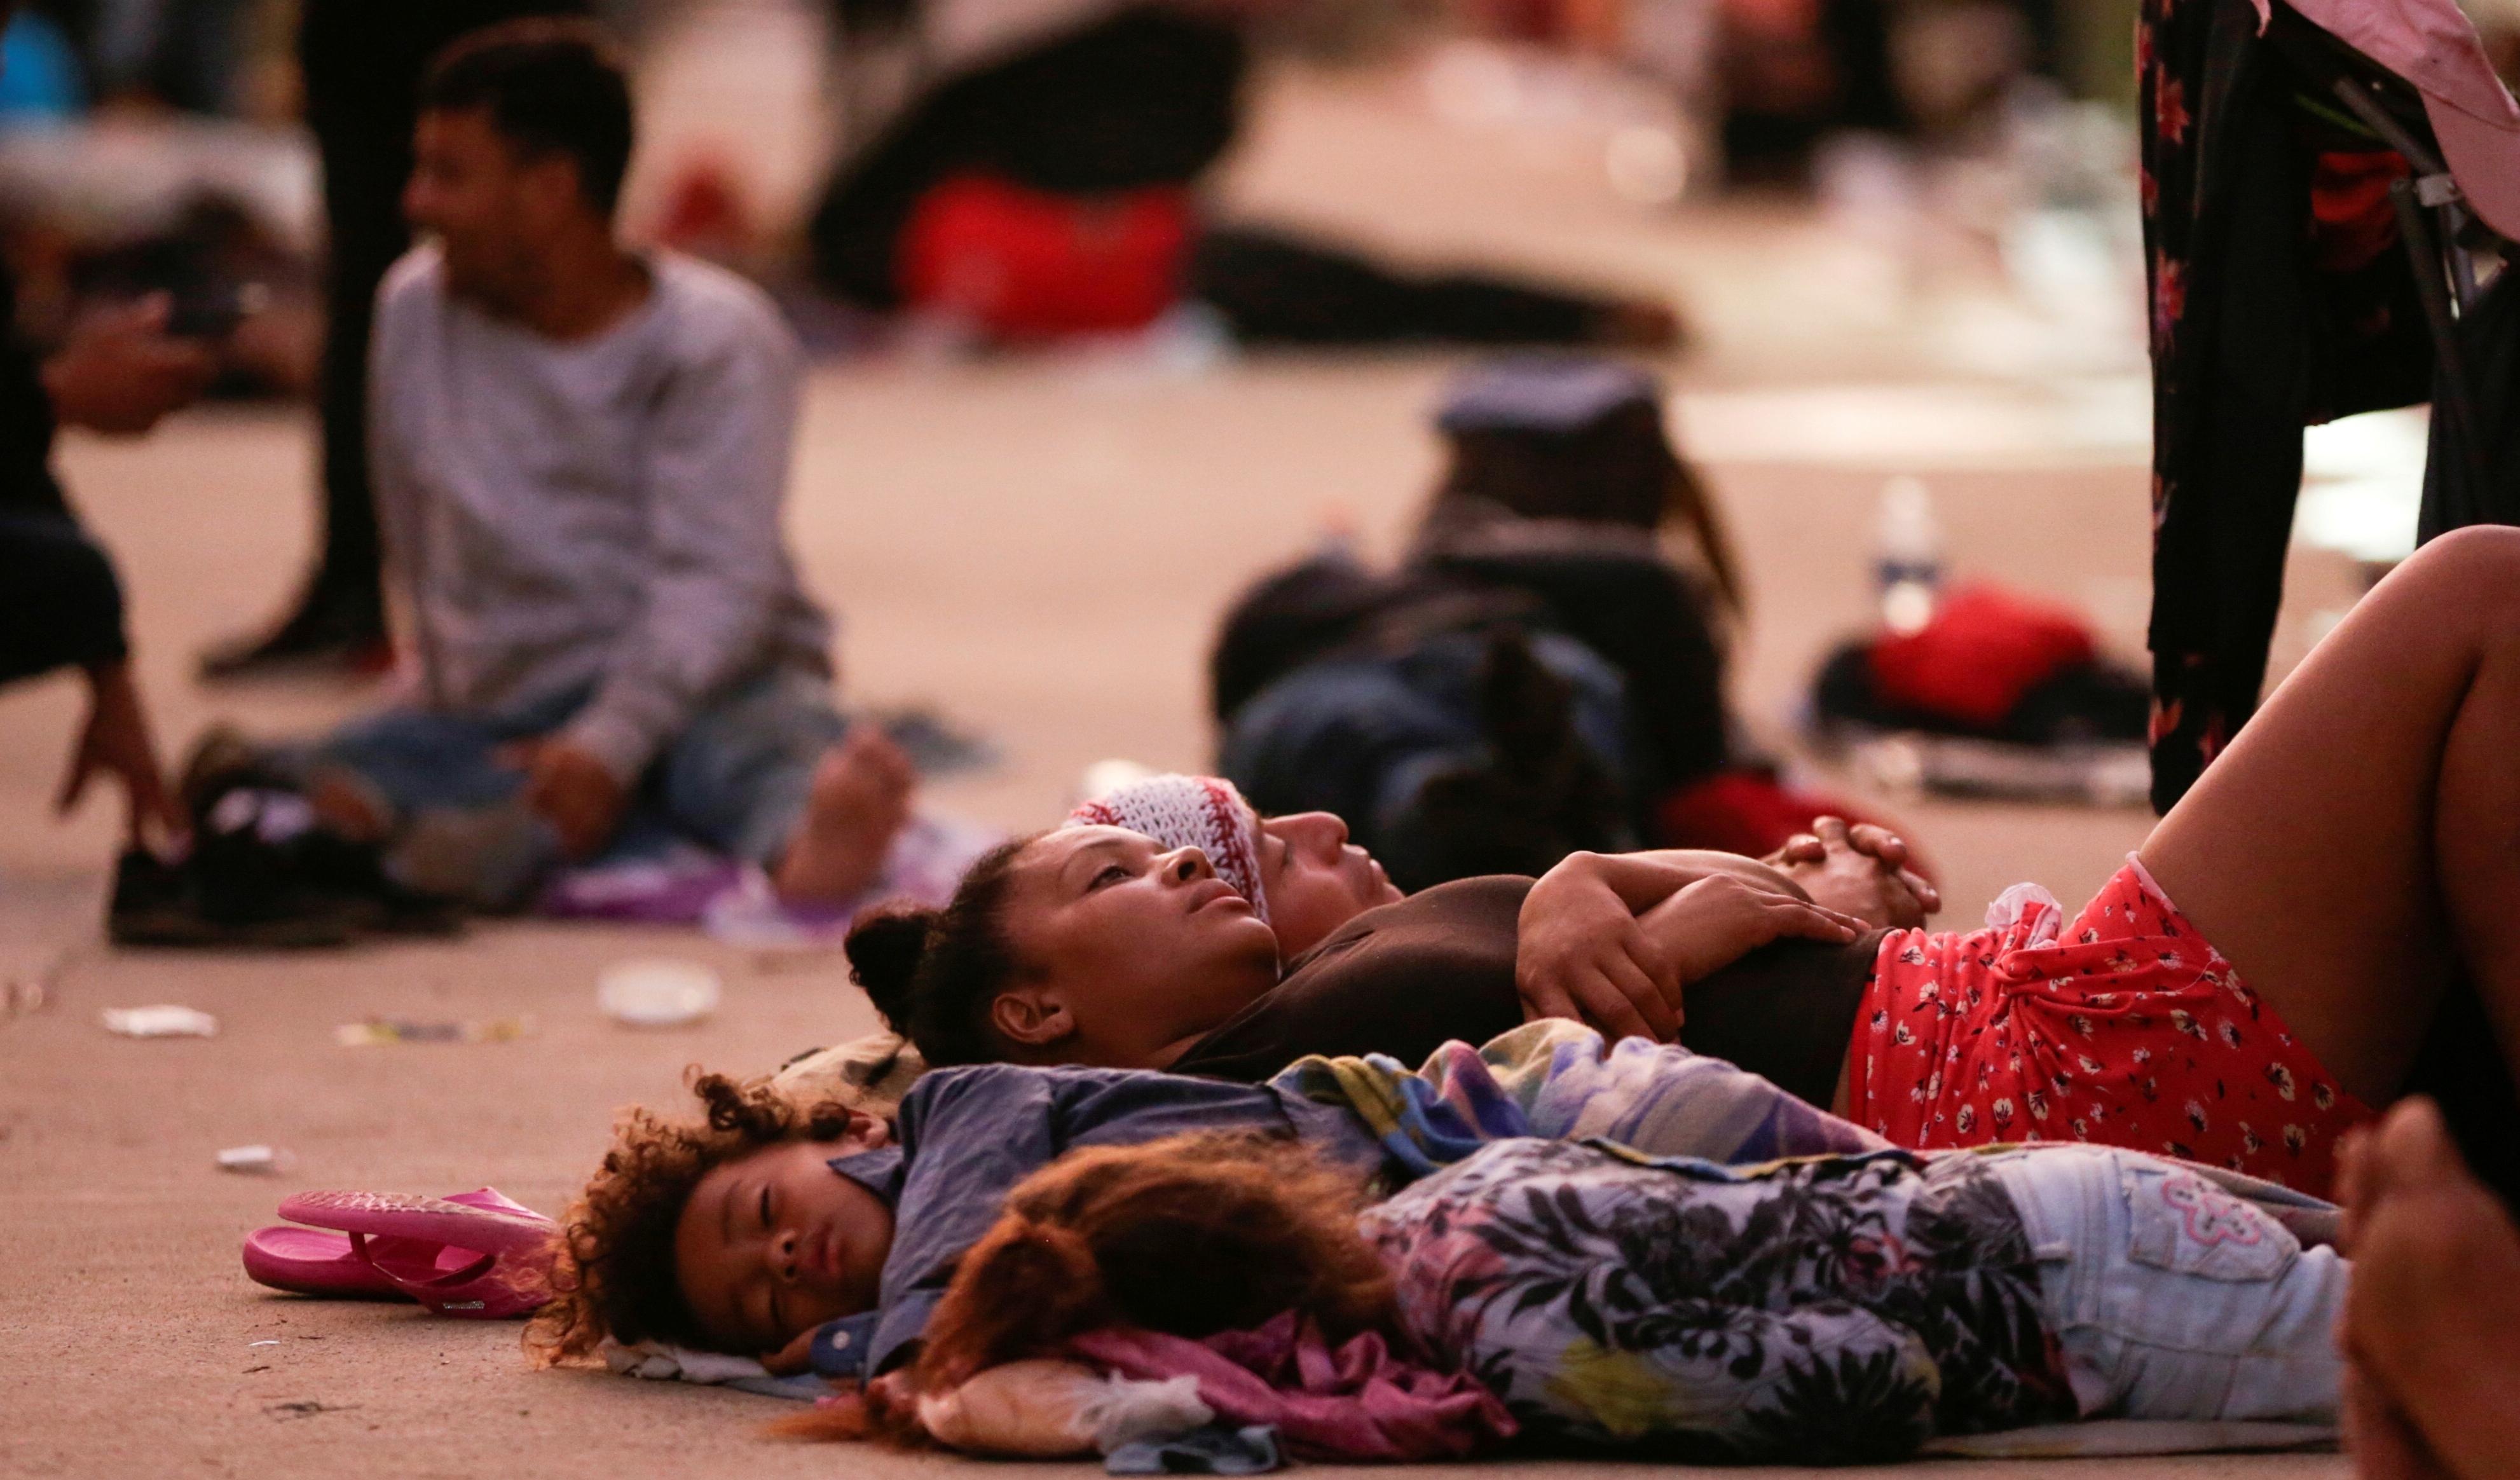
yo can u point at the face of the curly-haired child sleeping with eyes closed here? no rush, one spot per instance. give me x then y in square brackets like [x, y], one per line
[775, 1244]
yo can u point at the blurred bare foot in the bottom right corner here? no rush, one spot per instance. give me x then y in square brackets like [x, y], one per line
[2433, 1307]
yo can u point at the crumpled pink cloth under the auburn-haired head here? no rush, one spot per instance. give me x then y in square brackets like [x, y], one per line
[1357, 1403]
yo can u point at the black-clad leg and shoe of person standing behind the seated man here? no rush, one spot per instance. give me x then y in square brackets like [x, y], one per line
[362, 64]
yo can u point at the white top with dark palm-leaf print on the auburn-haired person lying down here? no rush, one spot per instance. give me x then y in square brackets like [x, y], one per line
[1826, 1310]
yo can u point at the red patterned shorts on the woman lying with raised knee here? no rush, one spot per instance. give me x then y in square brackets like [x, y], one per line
[2126, 1030]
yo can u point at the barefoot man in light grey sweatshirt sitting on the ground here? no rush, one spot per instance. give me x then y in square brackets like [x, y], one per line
[581, 458]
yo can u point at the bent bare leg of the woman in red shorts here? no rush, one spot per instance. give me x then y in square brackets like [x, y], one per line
[2310, 853]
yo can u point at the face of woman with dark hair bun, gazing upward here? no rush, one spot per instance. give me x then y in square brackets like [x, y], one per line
[1130, 949]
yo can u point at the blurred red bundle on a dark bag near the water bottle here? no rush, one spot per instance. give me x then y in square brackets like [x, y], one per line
[1979, 654]
